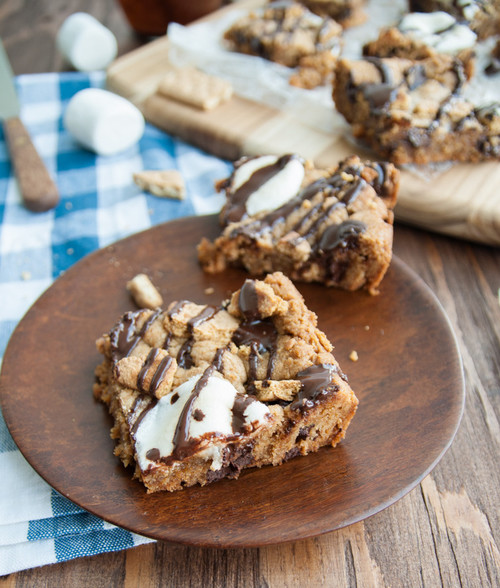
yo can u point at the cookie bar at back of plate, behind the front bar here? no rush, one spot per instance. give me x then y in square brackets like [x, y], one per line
[328, 226]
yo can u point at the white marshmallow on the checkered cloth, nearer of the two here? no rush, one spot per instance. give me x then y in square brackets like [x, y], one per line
[103, 122]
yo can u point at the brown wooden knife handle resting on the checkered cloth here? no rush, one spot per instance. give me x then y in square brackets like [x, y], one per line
[37, 188]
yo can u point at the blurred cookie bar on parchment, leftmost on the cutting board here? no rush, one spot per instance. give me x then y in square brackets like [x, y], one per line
[290, 34]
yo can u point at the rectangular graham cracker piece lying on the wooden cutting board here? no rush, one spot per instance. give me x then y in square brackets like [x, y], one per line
[195, 87]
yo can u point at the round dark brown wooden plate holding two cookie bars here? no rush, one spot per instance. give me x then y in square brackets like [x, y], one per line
[408, 379]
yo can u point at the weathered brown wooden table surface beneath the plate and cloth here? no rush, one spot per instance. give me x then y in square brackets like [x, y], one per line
[444, 532]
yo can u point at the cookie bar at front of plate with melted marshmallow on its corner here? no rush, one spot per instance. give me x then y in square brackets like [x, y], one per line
[199, 393]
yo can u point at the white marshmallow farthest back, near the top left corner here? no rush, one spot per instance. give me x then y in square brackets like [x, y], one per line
[86, 43]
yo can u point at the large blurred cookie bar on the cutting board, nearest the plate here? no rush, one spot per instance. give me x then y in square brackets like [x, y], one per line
[412, 112]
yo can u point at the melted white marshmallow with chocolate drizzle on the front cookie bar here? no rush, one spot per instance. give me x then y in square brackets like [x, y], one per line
[183, 422]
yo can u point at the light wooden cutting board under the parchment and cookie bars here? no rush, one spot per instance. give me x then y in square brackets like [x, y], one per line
[463, 201]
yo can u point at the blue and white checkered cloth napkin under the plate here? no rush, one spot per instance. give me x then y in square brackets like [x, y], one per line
[99, 204]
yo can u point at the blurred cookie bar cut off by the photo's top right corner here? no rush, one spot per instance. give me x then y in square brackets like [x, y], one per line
[483, 16]
